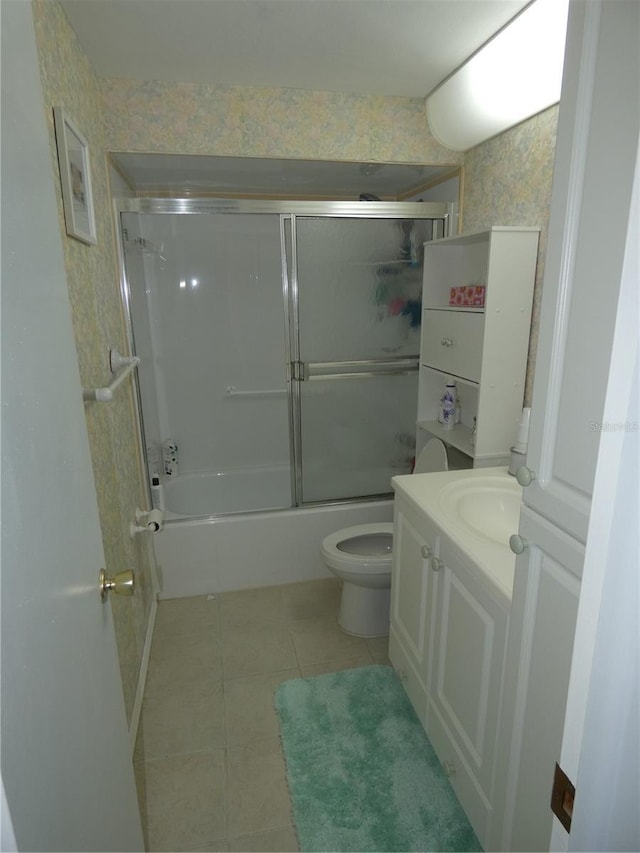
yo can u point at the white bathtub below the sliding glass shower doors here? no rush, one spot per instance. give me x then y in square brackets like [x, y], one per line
[222, 552]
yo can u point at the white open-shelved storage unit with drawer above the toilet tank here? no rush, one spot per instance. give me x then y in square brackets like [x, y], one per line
[484, 347]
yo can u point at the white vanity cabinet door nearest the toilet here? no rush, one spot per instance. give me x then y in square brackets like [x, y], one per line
[412, 591]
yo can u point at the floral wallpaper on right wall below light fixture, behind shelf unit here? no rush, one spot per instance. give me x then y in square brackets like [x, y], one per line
[507, 181]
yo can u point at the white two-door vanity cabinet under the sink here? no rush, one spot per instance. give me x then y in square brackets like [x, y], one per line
[447, 643]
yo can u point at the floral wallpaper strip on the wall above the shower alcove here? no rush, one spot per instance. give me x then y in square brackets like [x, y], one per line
[197, 118]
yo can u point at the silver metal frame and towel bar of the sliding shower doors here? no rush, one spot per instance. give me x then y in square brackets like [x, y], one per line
[297, 371]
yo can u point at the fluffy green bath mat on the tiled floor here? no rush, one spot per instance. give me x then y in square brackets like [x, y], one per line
[361, 771]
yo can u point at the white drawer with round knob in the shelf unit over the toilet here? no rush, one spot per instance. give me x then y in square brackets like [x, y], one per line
[452, 342]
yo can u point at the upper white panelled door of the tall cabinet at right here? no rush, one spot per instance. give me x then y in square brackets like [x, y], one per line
[584, 260]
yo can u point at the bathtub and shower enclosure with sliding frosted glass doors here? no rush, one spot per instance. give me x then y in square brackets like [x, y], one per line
[278, 352]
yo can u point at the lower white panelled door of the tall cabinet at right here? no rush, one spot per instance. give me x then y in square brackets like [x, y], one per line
[540, 645]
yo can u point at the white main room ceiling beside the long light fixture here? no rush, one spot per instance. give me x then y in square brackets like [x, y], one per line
[383, 47]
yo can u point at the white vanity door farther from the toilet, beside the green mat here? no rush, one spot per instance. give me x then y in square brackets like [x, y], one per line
[465, 684]
